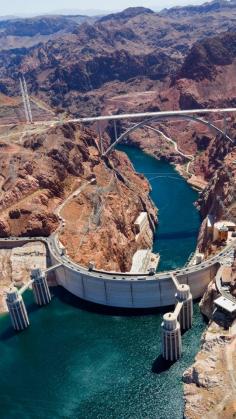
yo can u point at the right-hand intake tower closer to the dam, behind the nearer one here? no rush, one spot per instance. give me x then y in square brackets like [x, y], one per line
[184, 296]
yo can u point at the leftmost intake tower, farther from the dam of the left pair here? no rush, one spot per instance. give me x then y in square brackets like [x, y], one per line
[17, 310]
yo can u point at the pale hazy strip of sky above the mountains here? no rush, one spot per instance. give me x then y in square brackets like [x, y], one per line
[16, 7]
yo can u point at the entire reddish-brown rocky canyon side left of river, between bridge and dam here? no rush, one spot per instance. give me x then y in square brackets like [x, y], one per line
[40, 171]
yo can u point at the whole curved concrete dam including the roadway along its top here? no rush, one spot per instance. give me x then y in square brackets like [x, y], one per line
[125, 290]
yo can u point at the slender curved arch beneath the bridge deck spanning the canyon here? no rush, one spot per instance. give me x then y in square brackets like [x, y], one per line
[164, 117]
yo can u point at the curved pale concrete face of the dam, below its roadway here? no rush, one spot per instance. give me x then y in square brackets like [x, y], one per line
[145, 292]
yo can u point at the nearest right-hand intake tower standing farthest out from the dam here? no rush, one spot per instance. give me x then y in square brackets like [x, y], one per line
[171, 338]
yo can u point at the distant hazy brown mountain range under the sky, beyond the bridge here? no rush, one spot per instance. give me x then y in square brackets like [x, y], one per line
[115, 53]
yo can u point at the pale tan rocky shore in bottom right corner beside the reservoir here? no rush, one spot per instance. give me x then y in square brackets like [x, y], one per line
[209, 386]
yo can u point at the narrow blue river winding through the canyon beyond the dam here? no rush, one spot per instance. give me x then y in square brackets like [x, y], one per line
[179, 220]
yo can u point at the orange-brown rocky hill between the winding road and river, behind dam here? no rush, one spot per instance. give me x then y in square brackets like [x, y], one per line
[105, 232]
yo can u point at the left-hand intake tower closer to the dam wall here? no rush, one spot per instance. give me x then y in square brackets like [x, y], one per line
[40, 287]
